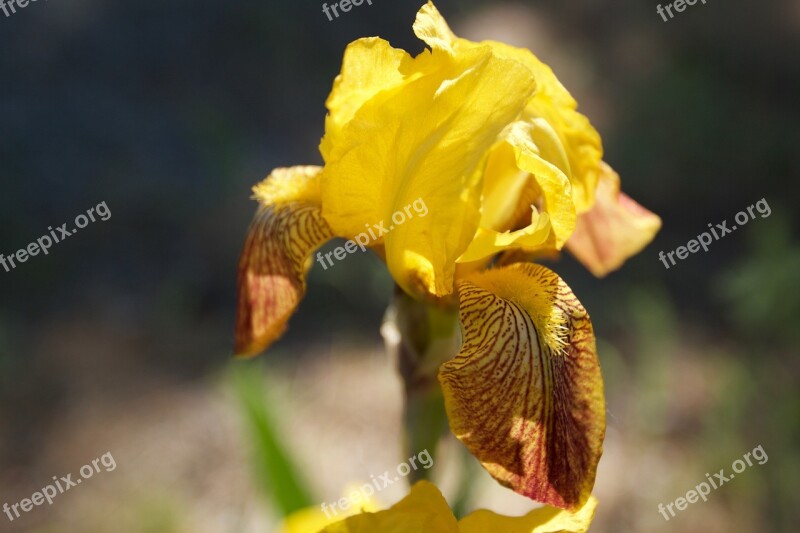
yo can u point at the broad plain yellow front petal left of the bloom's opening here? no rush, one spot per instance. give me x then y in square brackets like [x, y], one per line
[424, 139]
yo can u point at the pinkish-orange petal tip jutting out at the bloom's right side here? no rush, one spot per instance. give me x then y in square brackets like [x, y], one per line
[615, 229]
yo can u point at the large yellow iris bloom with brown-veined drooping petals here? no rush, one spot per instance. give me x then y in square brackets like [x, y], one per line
[486, 135]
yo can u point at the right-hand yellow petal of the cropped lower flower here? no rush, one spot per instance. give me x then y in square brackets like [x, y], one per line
[543, 520]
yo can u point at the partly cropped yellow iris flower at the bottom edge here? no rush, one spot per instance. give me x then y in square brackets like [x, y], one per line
[425, 510]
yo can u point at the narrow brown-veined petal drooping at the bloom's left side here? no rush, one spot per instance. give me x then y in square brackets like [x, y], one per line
[287, 228]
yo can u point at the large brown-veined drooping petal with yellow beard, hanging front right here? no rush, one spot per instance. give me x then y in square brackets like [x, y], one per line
[525, 393]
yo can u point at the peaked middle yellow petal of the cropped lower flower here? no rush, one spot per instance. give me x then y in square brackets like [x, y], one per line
[424, 510]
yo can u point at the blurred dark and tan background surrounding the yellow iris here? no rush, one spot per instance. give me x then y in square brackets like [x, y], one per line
[120, 339]
